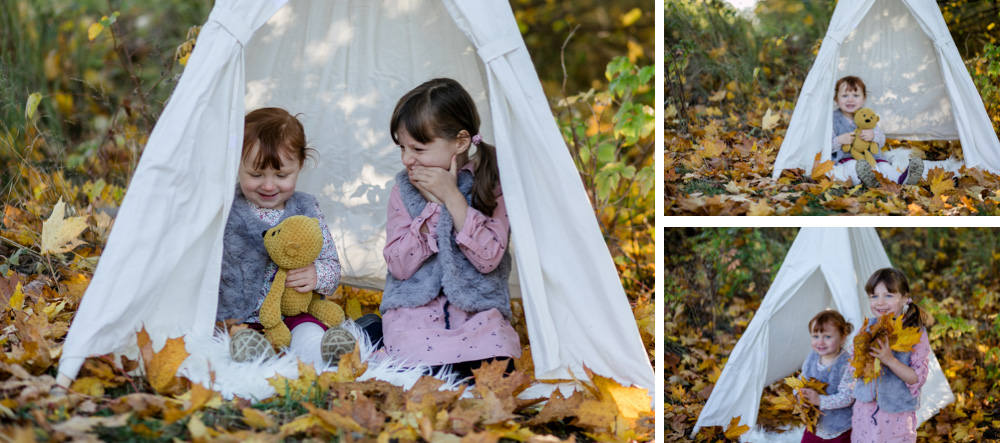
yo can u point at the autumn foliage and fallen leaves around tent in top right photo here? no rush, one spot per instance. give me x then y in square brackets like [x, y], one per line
[731, 83]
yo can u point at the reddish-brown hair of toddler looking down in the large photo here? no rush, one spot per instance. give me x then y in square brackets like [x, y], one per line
[274, 131]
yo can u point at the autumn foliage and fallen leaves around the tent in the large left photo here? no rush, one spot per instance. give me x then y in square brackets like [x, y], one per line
[81, 88]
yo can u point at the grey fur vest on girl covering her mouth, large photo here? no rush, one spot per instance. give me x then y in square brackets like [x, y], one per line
[448, 270]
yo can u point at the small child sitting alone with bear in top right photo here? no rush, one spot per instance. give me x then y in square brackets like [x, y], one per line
[850, 97]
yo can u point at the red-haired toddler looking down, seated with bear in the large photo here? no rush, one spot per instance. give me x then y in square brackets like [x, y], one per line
[274, 150]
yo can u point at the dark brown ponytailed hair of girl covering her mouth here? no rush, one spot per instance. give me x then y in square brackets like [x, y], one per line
[442, 108]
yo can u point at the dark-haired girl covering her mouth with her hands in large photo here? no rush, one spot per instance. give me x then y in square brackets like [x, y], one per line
[446, 300]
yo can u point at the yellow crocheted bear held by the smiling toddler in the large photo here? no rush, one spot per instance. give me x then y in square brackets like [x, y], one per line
[294, 243]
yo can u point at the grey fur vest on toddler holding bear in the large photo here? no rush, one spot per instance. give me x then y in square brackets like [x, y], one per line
[244, 259]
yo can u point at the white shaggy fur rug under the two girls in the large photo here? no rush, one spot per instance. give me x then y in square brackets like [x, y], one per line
[249, 379]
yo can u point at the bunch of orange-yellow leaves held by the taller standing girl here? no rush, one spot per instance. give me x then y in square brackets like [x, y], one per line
[900, 339]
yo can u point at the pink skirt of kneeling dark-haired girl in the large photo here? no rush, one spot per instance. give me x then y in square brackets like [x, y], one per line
[438, 333]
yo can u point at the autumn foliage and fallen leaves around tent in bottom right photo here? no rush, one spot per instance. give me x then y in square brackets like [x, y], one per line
[715, 279]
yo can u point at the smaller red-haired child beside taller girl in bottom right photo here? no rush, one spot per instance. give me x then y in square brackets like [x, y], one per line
[826, 363]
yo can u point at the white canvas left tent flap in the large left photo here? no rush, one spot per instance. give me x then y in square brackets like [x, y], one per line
[153, 270]
